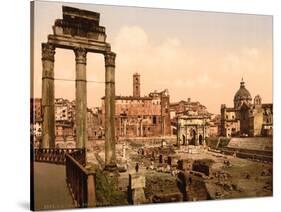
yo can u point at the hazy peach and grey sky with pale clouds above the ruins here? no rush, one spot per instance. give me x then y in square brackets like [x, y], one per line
[201, 55]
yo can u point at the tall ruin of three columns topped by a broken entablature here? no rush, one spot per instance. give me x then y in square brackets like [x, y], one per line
[79, 30]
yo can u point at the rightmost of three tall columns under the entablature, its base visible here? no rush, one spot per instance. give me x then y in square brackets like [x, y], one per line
[110, 157]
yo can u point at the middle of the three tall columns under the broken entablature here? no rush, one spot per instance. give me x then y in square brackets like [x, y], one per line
[81, 98]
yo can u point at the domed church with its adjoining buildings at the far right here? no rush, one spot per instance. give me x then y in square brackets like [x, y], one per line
[247, 117]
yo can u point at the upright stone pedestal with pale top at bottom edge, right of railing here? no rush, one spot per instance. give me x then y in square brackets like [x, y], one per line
[136, 186]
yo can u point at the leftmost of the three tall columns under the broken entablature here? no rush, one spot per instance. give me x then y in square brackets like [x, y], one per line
[48, 96]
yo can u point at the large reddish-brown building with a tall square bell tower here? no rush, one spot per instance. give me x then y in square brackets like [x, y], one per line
[142, 116]
